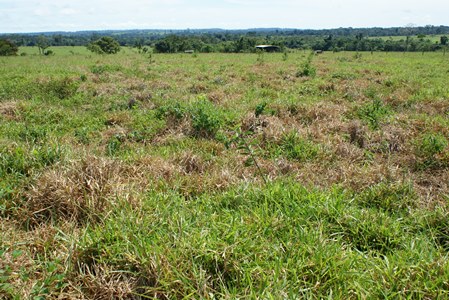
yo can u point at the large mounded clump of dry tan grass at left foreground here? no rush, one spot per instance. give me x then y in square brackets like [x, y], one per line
[84, 191]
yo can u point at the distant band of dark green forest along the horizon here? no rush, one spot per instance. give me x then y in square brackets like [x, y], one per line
[219, 40]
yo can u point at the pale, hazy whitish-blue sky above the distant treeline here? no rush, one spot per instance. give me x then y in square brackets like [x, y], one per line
[62, 15]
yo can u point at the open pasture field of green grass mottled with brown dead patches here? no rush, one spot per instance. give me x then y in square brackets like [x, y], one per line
[209, 176]
